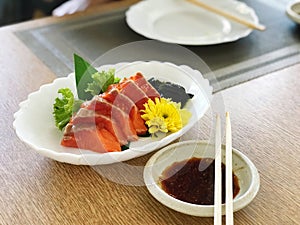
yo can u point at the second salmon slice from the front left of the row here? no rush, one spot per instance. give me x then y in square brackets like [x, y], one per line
[85, 116]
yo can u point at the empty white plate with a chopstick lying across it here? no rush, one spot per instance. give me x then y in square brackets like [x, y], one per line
[180, 22]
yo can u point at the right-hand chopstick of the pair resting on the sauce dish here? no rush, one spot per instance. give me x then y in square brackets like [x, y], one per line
[229, 195]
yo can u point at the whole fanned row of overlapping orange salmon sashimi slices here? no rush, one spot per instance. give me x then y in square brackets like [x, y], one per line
[111, 119]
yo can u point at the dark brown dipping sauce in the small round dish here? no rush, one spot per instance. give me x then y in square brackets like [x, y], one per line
[193, 181]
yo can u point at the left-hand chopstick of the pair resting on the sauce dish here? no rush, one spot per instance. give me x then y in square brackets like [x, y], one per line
[218, 184]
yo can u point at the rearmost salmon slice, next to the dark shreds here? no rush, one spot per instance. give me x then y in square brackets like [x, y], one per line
[141, 82]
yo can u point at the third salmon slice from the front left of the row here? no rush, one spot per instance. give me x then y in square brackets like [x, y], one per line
[105, 108]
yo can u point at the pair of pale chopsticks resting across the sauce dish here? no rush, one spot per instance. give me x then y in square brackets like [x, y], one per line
[218, 176]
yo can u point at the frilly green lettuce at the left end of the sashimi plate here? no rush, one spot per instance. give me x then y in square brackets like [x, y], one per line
[64, 107]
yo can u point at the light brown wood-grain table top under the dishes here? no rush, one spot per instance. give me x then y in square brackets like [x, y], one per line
[36, 190]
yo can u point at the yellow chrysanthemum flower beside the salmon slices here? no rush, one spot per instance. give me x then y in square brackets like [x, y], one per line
[163, 115]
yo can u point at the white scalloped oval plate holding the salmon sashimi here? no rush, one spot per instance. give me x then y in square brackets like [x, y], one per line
[34, 123]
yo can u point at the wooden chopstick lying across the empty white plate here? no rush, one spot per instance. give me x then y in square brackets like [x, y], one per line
[228, 15]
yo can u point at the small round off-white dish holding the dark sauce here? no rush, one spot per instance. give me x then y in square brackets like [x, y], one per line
[243, 168]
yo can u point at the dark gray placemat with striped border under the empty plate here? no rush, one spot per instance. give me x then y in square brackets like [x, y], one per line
[232, 63]
